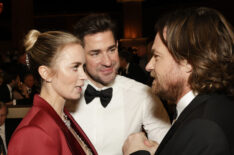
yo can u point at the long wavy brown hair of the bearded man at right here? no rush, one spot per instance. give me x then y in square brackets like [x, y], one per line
[204, 38]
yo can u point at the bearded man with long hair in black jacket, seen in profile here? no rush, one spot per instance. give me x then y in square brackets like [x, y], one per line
[192, 66]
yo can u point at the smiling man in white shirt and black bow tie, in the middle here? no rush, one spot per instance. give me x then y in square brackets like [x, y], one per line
[108, 121]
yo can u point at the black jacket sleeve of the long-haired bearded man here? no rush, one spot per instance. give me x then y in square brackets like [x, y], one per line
[201, 137]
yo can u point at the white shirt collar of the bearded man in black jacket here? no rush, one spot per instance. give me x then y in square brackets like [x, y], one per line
[185, 101]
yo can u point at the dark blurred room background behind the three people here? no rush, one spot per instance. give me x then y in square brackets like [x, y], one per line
[135, 19]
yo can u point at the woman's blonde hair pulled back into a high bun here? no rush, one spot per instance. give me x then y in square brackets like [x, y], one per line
[42, 48]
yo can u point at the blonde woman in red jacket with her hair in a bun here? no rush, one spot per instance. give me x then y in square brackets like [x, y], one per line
[56, 59]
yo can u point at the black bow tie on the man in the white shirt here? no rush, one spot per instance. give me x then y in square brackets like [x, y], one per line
[105, 95]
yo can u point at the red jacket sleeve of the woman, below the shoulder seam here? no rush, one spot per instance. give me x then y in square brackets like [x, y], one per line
[32, 140]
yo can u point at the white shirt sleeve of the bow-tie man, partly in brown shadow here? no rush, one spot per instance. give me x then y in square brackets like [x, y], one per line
[156, 121]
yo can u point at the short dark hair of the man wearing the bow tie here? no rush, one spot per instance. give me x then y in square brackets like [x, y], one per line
[94, 23]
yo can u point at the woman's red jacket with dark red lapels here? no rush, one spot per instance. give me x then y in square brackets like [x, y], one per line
[42, 131]
